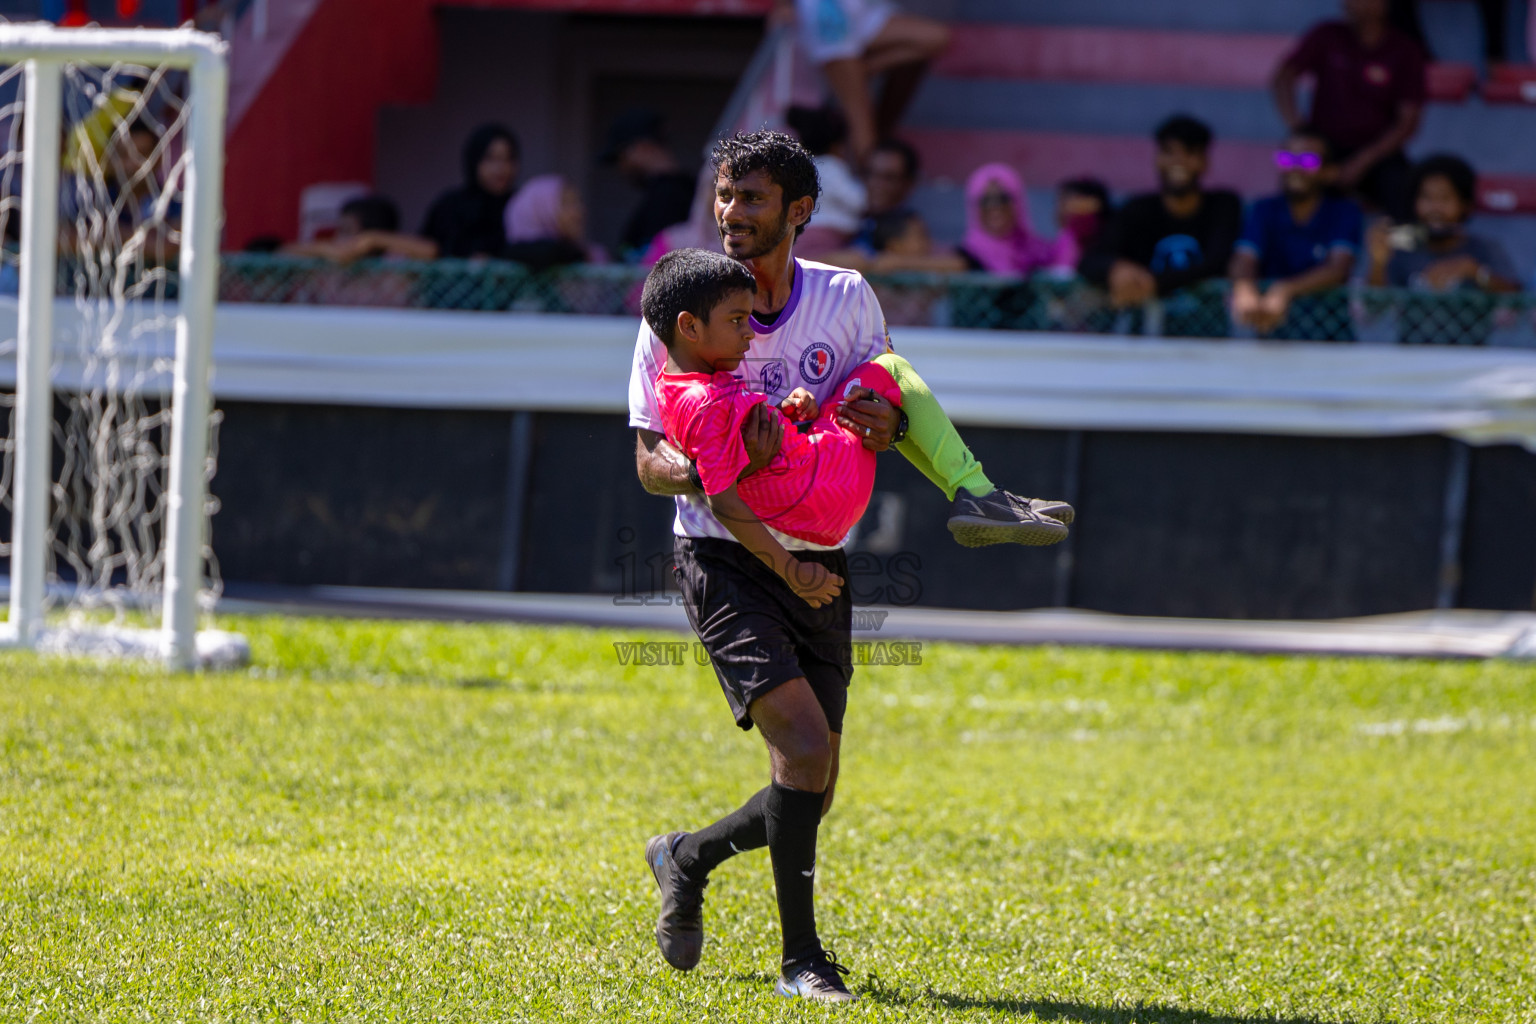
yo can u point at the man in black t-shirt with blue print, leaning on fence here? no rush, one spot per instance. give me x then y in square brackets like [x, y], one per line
[1174, 239]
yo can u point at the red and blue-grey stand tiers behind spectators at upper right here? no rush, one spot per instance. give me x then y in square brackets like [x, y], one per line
[1068, 90]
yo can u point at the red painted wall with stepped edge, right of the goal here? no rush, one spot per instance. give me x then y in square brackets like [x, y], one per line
[317, 116]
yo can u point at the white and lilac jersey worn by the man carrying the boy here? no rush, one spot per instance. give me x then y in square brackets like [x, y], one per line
[830, 325]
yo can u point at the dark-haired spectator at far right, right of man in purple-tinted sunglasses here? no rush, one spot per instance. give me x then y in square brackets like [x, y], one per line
[1438, 254]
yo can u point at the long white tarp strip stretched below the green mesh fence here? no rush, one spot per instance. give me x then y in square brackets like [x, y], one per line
[452, 360]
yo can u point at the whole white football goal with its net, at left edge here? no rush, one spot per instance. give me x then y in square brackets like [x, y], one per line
[110, 193]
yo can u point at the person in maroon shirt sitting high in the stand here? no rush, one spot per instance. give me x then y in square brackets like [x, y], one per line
[1368, 99]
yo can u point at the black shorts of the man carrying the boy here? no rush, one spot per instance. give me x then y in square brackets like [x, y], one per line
[760, 633]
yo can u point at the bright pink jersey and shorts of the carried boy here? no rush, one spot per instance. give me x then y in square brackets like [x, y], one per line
[818, 486]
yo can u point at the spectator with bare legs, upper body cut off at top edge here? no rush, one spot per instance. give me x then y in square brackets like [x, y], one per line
[853, 41]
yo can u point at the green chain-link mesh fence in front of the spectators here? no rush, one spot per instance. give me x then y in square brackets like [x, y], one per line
[967, 300]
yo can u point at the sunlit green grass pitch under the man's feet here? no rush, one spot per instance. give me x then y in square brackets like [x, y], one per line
[417, 822]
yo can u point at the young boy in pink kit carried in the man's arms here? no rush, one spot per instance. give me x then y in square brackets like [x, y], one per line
[819, 484]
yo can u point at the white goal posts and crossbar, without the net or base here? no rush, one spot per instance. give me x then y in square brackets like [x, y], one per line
[45, 50]
